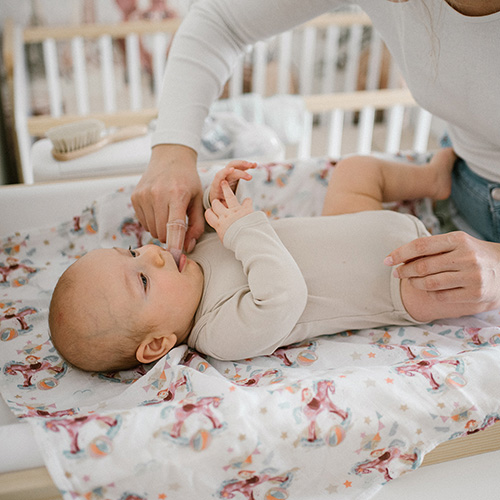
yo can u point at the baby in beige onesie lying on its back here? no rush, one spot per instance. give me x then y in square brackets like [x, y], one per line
[256, 284]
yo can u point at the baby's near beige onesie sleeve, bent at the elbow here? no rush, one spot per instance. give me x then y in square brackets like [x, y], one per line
[259, 317]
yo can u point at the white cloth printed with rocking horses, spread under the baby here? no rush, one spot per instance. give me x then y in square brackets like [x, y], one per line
[340, 414]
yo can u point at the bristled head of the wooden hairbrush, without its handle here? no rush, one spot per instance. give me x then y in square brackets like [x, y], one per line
[76, 135]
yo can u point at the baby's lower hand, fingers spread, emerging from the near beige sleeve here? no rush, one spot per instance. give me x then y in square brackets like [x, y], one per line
[224, 213]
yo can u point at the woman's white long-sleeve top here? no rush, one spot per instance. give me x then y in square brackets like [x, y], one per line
[450, 62]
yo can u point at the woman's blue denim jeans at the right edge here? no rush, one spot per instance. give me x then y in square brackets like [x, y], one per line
[474, 199]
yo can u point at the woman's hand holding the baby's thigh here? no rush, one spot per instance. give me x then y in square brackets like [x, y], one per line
[454, 267]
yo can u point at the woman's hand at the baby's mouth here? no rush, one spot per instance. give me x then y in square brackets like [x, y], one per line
[168, 190]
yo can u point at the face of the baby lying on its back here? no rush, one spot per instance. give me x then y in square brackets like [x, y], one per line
[144, 284]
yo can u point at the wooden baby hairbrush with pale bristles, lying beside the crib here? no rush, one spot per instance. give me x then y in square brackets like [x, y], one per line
[80, 138]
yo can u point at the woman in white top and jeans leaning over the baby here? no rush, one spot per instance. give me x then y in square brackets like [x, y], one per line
[448, 53]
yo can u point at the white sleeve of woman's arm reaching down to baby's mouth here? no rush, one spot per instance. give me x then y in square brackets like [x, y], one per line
[204, 51]
